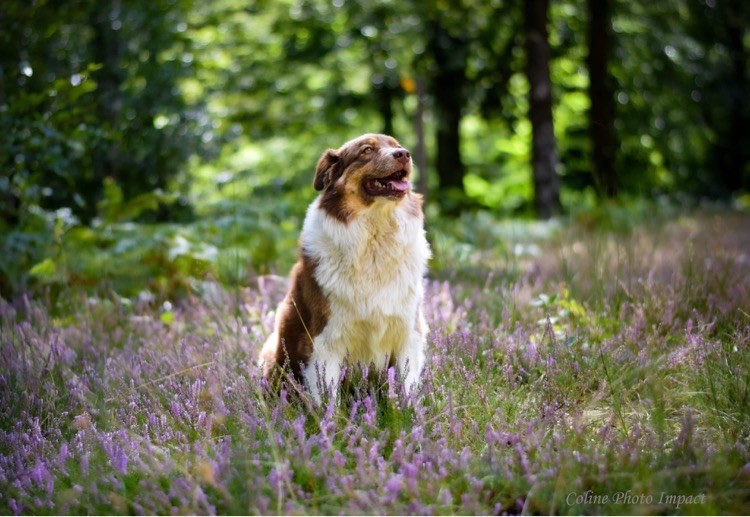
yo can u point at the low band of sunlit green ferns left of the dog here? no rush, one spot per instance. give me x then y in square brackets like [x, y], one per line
[152, 260]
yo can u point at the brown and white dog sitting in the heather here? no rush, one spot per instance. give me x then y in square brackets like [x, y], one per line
[356, 290]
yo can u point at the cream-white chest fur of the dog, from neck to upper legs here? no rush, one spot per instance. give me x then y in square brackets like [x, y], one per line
[370, 270]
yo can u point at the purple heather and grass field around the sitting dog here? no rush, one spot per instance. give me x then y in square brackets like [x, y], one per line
[571, 370]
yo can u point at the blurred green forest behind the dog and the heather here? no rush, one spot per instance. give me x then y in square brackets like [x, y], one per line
[147, 145]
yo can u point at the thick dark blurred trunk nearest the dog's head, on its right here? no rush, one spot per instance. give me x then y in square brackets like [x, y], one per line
[450, 53]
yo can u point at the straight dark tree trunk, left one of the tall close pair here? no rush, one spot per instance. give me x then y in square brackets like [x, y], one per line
[544, 152]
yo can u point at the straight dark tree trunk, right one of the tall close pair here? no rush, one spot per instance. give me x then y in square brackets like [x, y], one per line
[602, 111]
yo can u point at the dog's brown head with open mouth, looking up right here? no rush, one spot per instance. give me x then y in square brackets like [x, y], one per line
[361, 172]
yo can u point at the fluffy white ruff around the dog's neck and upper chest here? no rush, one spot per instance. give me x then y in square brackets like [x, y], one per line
[371, 264]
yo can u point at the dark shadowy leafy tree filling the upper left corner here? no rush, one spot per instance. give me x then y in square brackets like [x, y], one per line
[89, 91]
